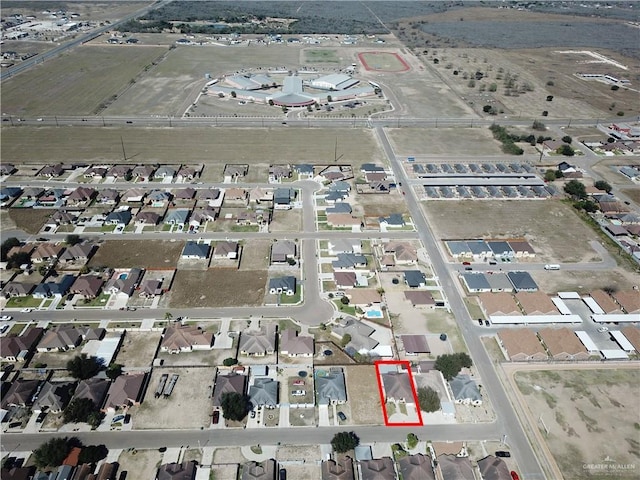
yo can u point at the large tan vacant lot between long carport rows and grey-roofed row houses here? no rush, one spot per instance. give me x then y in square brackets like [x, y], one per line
[550, 226]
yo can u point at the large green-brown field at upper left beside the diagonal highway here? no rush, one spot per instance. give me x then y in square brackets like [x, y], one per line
[76, 83]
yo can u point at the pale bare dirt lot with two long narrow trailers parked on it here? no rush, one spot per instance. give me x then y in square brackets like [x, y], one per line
[191, 397]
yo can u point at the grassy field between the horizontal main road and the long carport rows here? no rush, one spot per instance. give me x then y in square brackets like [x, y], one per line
[443, 141]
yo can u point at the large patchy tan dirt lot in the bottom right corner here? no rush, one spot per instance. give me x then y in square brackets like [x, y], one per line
[579, 406]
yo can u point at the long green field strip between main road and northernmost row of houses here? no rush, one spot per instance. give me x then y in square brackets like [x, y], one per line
[193, 145]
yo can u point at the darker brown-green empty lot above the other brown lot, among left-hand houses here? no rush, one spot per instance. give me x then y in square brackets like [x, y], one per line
[141, 253]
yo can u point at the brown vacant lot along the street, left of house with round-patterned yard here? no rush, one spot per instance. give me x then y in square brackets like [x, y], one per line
[215, 289]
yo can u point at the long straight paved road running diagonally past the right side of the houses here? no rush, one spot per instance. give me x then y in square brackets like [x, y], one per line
[507, 422]
